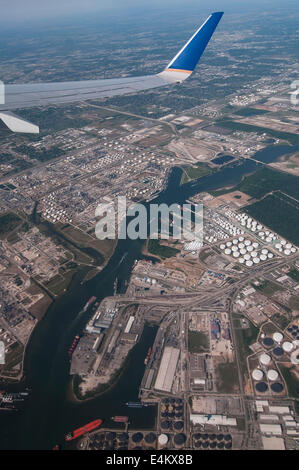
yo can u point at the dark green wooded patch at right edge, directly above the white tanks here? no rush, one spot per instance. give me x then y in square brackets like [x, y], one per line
[279, 215]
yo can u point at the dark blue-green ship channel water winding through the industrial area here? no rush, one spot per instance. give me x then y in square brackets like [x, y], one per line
[49, 413]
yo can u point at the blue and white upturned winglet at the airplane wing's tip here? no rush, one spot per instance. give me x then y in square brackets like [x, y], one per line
[183, 64]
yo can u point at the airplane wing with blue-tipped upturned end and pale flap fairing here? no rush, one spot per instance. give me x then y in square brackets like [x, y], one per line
[44, 94]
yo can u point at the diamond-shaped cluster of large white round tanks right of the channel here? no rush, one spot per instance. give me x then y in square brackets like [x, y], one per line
[246, 251]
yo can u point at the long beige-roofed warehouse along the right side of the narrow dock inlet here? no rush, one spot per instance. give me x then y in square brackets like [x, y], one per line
[167, 369]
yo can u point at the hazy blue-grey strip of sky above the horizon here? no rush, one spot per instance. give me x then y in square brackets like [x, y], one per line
[22, 11]
